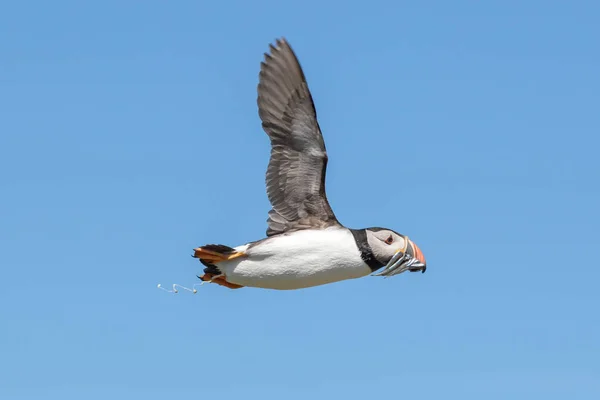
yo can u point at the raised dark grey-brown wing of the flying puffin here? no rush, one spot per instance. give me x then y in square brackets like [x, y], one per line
[296, 174]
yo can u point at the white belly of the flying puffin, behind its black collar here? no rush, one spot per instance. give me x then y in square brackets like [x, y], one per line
[298, 260]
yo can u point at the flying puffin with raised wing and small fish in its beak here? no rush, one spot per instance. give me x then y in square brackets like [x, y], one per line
[305, 244]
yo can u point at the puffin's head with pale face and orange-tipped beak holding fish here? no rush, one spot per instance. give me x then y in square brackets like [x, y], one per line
[395, 251]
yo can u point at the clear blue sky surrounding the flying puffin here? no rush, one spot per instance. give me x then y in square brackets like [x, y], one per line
[129, 134]
